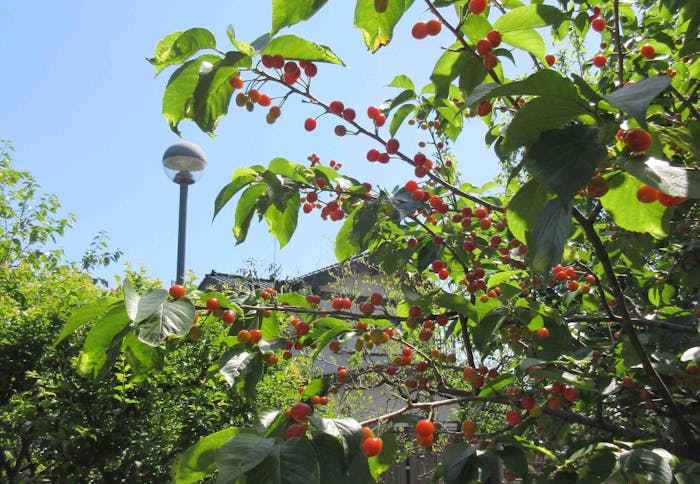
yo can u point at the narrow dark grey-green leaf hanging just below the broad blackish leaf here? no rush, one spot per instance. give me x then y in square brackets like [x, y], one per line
[548, 236]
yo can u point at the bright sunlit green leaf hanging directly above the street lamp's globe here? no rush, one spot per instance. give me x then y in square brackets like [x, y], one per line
[178, 97]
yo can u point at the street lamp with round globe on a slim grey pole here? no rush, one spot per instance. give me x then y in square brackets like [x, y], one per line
[184, 164]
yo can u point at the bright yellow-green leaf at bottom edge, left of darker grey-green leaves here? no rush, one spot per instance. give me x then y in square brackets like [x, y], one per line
[199, 460]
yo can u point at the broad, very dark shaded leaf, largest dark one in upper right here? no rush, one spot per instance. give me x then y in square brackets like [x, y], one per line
[564, 160]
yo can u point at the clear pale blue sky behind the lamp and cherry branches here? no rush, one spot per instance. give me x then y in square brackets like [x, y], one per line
[82, 107]
